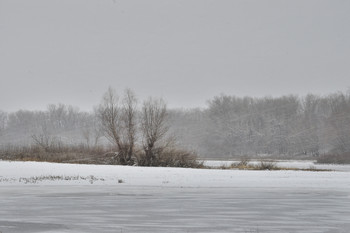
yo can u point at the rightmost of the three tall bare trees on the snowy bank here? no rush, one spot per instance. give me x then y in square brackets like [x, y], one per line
[154, 129]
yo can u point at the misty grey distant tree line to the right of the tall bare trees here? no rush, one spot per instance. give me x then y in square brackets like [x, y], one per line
[278, 126]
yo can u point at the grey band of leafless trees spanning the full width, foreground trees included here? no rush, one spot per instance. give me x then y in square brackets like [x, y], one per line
[230, 126]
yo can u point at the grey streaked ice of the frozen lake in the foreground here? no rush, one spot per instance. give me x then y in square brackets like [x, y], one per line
[158, 209]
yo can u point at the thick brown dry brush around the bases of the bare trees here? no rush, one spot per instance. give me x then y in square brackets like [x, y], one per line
[95, 155]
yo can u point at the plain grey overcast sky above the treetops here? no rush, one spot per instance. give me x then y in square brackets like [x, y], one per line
[186, 51]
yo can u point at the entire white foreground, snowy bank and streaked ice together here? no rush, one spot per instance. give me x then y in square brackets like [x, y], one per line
[48, 197]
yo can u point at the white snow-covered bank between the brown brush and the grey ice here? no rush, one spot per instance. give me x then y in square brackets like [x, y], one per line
[16, 173]
